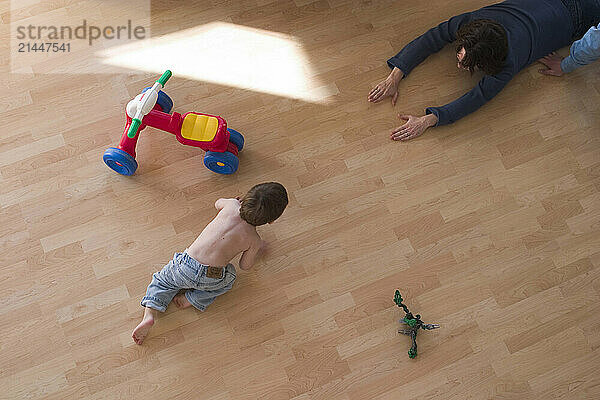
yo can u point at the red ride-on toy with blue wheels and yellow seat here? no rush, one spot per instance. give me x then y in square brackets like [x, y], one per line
[152, 108]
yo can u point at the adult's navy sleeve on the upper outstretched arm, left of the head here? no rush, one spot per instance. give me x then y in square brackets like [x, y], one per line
[428, 43]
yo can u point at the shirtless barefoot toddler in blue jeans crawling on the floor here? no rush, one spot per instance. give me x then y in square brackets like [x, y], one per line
[203, 270]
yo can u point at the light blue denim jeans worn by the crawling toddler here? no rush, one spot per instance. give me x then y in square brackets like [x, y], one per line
[185, 272]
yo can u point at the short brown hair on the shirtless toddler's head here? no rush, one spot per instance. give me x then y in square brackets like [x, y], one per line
[264, 203]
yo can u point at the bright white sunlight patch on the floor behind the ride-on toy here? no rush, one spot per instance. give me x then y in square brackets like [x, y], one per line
[228, 54]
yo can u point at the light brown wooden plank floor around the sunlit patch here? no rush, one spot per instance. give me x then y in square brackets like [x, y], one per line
[489, 227]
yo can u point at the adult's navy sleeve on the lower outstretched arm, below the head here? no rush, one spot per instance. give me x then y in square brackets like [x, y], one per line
[486, 89]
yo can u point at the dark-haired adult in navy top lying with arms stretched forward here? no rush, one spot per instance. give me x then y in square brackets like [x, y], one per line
[499, 40]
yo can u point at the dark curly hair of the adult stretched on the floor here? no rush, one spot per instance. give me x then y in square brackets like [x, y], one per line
[485, 43]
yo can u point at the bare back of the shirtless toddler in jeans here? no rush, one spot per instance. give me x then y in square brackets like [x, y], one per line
[225, 236]
